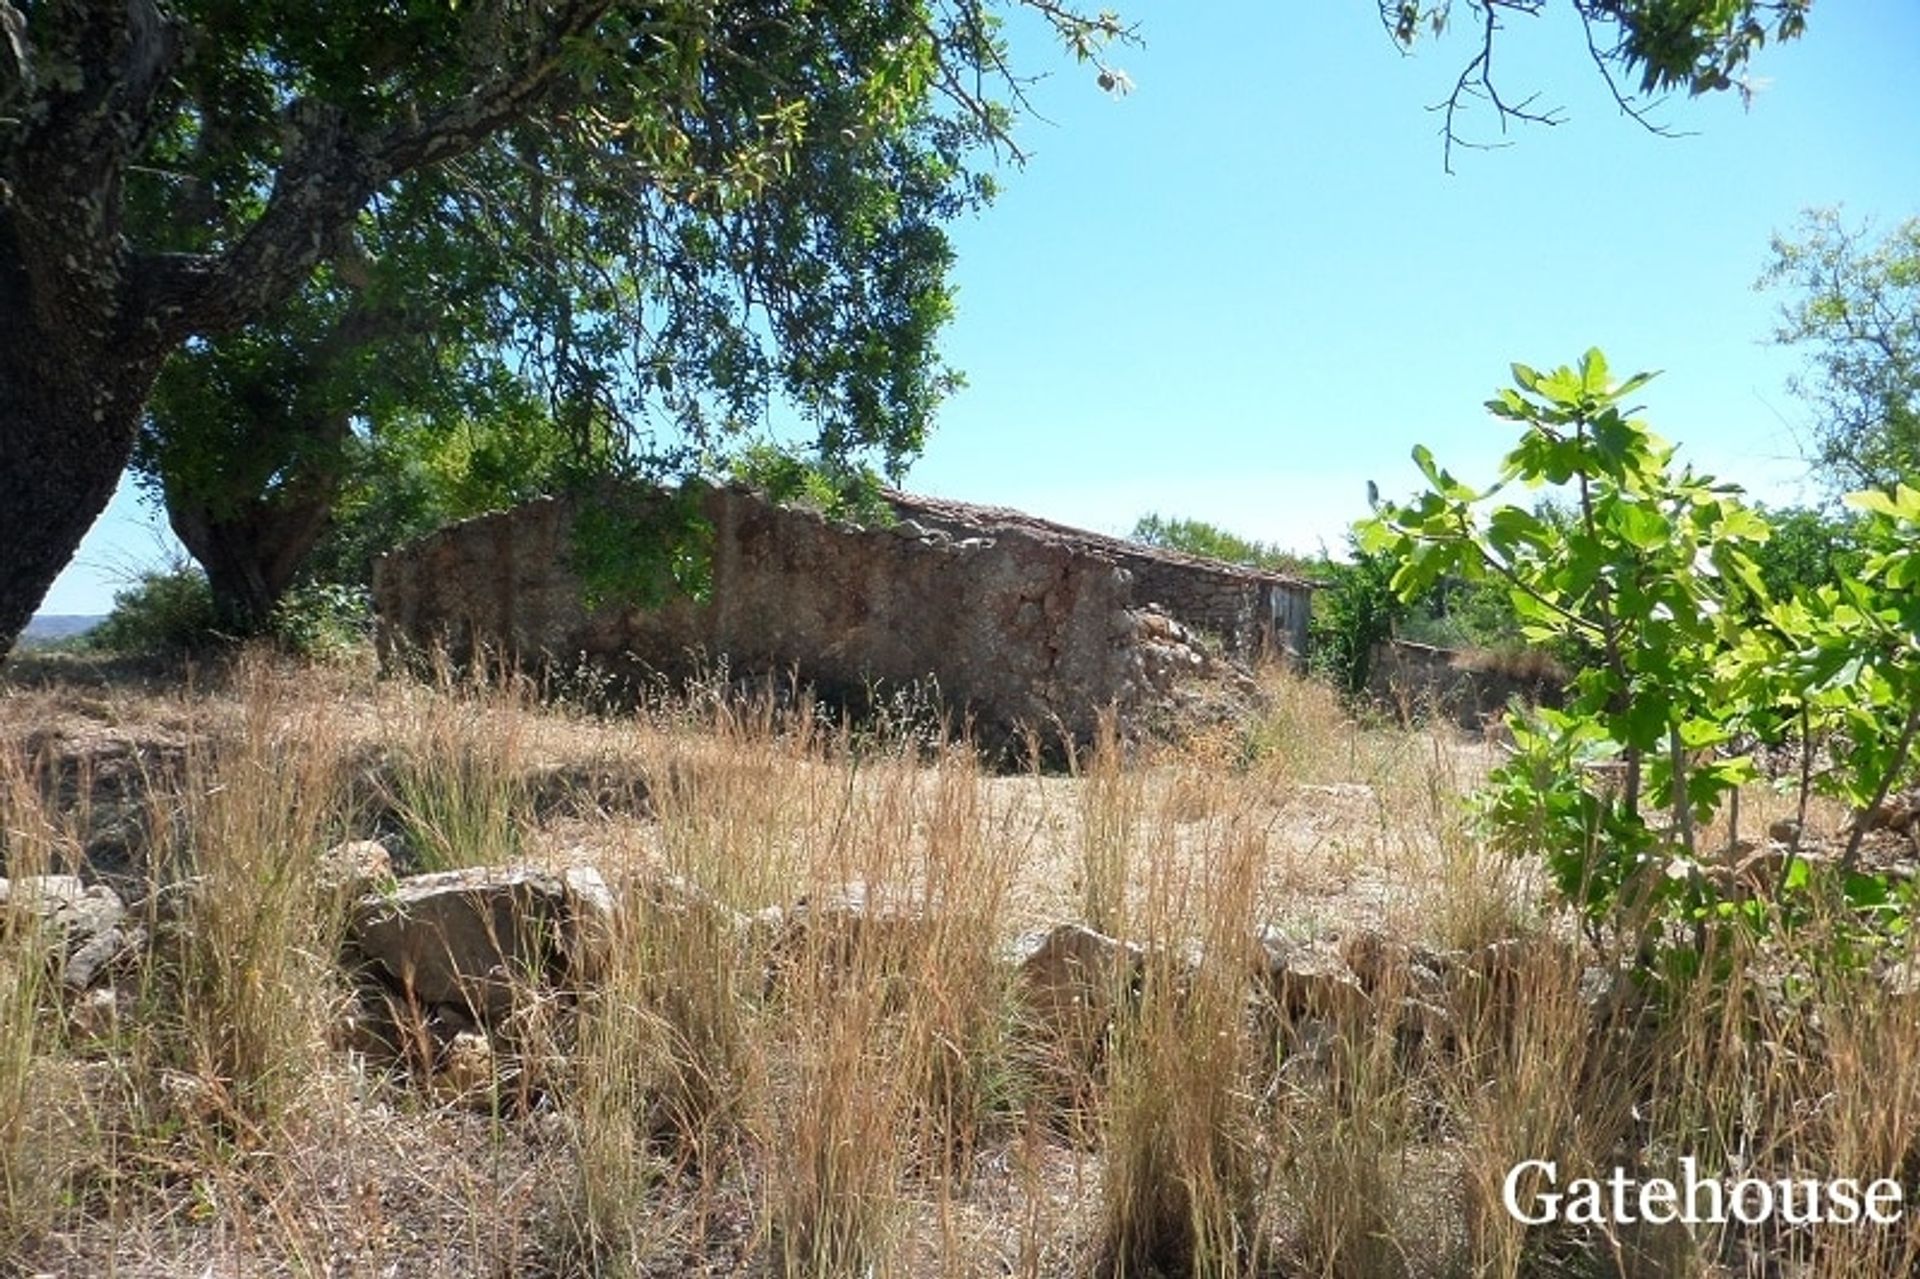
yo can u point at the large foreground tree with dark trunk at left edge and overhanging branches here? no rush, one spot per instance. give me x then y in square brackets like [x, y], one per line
[172, 176]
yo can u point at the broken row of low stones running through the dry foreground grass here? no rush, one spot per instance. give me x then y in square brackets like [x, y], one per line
[450, 965]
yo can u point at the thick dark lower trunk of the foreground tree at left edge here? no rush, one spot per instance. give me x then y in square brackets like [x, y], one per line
[70, 400]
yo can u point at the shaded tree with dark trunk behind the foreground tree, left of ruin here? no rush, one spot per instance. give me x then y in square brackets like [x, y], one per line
[254, 439]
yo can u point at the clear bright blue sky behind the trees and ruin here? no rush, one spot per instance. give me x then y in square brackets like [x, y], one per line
[1247, 289]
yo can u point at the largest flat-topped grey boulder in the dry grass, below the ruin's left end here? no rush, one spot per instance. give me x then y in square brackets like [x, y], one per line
[471, 938]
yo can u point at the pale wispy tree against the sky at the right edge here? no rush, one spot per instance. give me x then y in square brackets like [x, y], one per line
[1856, 308]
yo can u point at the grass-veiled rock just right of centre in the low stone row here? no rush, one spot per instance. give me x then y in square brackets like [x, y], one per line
[1070, 980]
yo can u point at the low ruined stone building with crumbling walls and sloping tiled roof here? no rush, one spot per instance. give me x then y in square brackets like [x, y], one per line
[1019, 625]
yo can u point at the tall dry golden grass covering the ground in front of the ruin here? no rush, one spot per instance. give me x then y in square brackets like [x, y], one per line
[859, 1092]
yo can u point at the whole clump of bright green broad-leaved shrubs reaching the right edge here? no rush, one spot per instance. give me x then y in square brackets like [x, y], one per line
[1660, 577]
